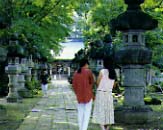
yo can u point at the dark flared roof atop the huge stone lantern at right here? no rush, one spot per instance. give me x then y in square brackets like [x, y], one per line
[134, 18]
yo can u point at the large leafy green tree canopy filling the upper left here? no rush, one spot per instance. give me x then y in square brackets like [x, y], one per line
[38, 26]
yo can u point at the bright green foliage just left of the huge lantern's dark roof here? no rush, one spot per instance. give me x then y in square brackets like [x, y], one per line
[99, 16]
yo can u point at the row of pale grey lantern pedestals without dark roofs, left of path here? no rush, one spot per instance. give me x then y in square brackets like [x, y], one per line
[18, 74]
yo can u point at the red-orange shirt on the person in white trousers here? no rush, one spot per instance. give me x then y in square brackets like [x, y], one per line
[83, 85]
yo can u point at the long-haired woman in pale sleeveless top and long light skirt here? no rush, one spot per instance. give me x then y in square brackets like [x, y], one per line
[103, 112]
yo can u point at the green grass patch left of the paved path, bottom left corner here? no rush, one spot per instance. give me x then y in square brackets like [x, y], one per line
[15, 113]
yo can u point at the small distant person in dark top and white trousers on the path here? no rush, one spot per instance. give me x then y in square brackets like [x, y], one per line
[44, 82]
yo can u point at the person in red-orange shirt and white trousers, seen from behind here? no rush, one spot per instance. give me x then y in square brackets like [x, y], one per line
[82, 83]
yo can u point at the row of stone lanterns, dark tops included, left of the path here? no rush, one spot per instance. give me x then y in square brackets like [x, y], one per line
[19, 71]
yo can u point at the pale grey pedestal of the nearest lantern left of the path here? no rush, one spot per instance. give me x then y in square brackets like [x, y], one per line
[13, 70]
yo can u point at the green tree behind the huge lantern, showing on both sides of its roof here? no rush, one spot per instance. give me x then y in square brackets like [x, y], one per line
[101, 12]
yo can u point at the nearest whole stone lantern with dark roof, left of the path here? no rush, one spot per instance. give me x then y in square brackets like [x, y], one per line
[15, 51]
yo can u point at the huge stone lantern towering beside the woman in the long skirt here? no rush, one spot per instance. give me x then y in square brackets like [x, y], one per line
[133, 57]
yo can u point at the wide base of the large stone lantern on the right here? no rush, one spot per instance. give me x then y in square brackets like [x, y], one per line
[134, 115]
